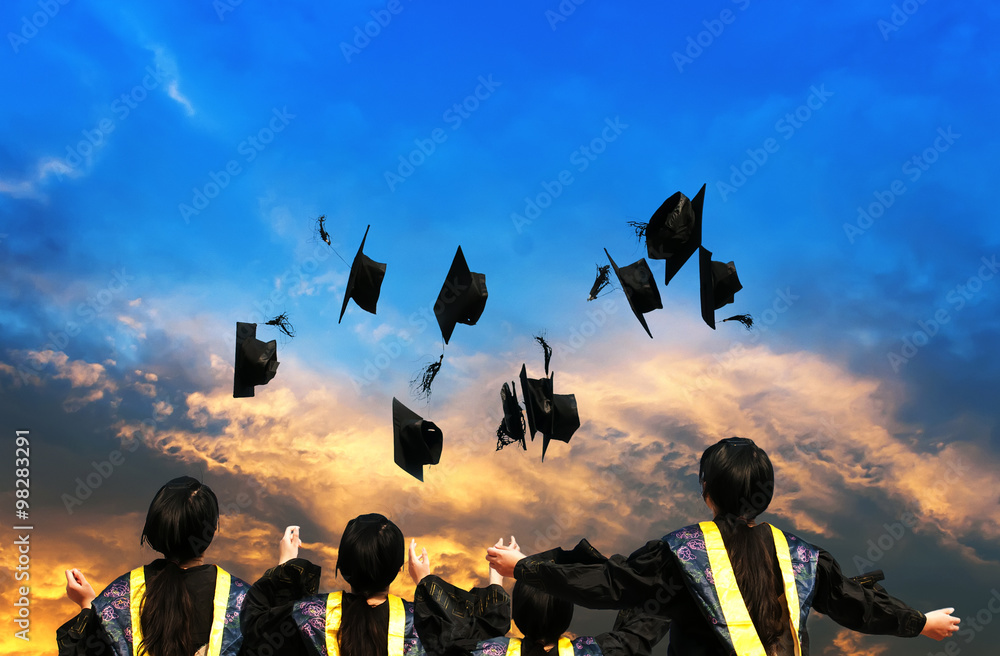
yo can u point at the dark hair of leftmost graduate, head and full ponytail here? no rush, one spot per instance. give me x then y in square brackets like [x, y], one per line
[180, 524]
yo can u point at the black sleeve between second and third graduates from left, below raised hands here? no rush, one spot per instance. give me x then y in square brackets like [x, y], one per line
[446, 616]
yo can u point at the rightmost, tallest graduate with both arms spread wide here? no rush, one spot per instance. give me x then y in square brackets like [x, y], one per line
[729, 586]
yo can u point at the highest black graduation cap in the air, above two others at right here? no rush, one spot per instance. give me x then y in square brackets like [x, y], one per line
[674, 231]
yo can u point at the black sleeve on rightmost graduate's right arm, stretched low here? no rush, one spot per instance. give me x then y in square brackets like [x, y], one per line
[861, 608]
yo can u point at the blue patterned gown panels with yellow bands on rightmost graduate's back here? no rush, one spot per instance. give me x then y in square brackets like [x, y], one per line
[708, 575]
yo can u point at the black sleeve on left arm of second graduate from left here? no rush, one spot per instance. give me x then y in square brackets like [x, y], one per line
[266, 619]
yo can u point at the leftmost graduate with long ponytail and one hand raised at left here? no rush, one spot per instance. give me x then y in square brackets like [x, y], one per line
[175, 606]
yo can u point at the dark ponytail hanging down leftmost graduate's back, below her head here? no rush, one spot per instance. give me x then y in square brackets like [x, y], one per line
[166, 615]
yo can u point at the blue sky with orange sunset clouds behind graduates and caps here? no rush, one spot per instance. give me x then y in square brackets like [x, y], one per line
[162, 168]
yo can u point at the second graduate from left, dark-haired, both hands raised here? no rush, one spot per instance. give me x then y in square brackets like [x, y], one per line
[284, 616]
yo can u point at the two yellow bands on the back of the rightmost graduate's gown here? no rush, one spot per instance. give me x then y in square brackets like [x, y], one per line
[741, 629]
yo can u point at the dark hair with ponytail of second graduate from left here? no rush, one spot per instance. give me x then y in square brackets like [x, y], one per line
[370, 555]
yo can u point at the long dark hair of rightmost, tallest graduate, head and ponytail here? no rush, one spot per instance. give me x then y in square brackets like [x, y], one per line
[738, 477]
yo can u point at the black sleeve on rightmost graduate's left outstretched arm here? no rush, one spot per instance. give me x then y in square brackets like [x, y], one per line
[588, 579]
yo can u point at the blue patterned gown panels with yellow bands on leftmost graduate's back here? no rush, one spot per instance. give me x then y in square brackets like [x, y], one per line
[119, 604]
